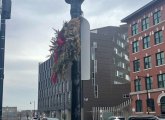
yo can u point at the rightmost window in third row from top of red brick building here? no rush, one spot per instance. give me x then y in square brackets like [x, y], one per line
[159, 58]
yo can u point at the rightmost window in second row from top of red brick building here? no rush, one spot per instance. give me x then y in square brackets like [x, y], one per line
[158, 36]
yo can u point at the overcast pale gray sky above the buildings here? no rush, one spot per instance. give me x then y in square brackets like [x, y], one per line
[28, 35]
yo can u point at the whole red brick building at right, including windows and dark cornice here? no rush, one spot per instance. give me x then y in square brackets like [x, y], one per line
[146, 36]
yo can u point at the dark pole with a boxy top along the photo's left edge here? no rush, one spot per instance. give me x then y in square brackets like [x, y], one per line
[5, 14]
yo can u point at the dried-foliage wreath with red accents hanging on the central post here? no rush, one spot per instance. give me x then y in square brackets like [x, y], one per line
[65, 48]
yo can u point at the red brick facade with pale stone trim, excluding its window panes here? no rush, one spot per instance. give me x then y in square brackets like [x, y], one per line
[156, 93]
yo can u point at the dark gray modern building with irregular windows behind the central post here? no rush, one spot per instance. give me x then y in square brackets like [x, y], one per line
[109, 78]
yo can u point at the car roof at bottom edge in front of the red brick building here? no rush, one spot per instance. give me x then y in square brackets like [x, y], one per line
[144, 117]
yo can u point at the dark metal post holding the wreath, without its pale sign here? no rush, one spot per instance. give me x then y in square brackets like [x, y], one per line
[76, 68]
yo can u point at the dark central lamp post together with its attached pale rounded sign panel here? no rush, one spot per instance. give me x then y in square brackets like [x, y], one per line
[80, 69]
